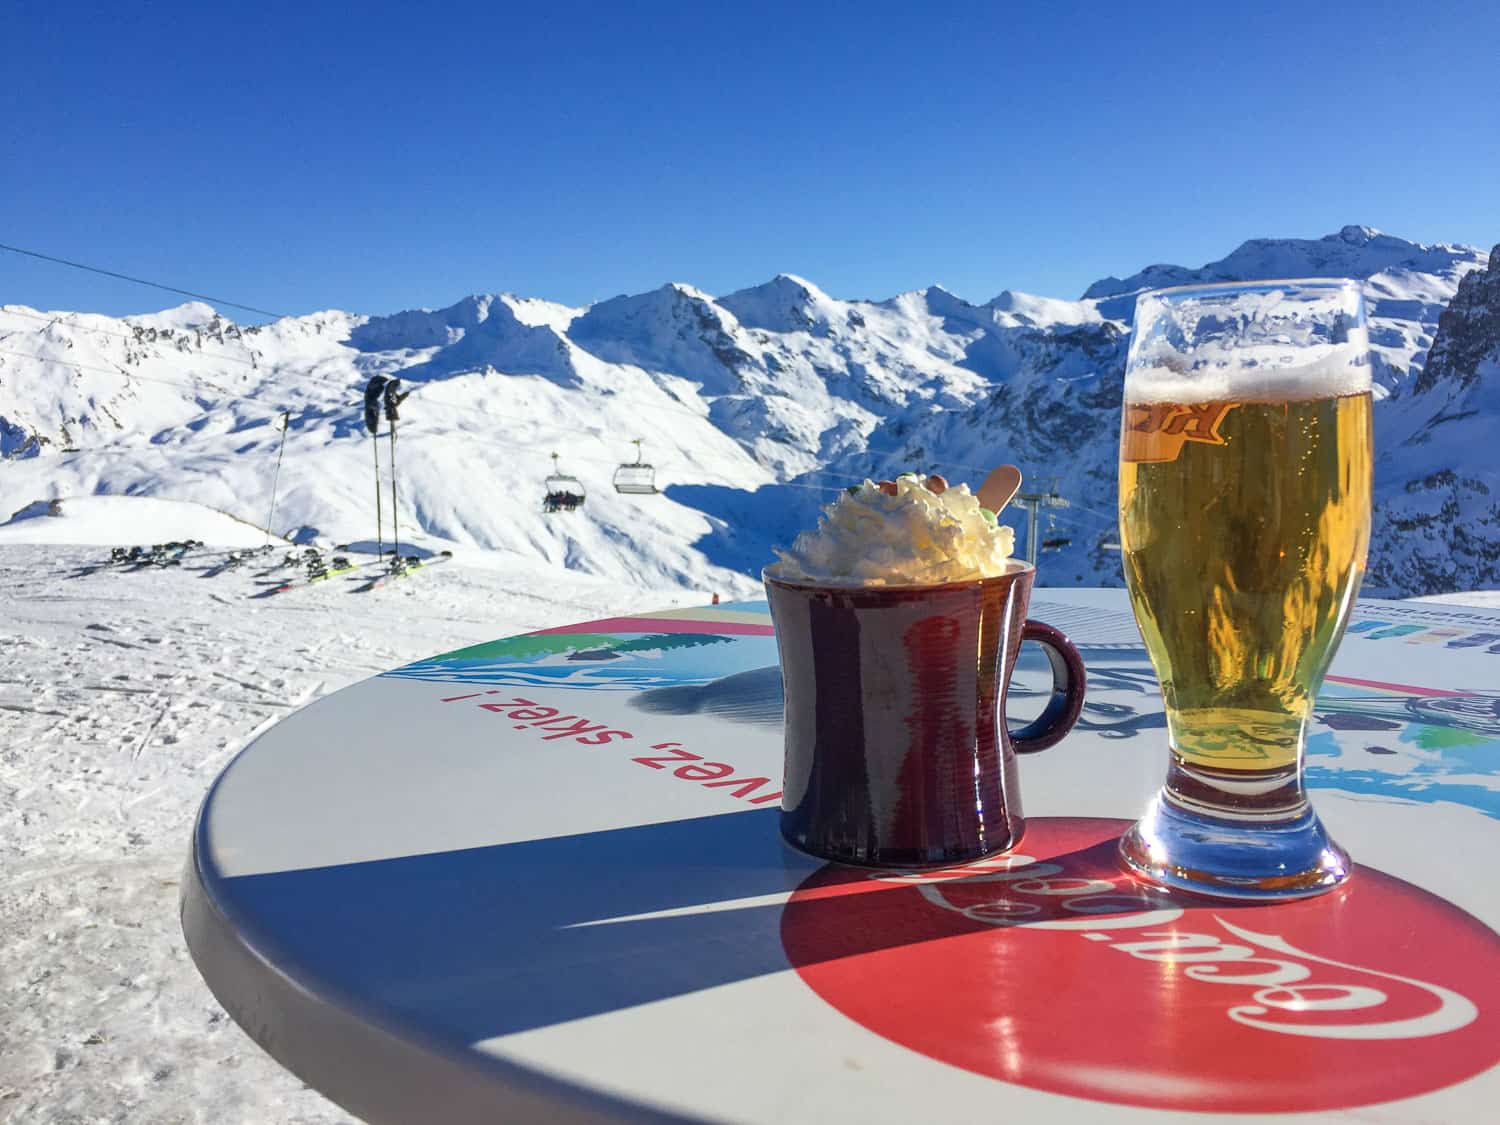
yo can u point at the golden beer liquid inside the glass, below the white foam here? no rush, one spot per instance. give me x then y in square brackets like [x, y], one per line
[1244, 529]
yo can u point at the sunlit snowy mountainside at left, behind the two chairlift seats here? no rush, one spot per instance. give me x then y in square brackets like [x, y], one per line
[194, 416]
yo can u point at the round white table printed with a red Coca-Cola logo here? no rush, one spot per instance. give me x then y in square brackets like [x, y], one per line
[542, 878]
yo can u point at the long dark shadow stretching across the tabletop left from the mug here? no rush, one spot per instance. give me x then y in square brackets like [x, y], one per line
[491, 941]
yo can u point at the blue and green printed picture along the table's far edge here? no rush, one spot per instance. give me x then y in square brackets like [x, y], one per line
[1376, 734]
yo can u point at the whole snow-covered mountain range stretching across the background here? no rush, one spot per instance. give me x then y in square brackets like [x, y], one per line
[755, 409]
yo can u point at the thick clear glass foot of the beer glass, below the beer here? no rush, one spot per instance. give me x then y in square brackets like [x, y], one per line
[1262, 844]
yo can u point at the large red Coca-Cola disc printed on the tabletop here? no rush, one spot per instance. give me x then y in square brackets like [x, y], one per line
[1054, 970]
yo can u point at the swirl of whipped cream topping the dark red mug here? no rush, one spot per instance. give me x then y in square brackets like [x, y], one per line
[914, 538]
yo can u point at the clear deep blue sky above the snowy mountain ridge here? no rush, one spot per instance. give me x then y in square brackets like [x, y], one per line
[389, 155]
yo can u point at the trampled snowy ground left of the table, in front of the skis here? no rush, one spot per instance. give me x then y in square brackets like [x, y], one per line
[122, 697]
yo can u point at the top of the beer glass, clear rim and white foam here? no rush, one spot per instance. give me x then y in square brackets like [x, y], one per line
[1259, 343]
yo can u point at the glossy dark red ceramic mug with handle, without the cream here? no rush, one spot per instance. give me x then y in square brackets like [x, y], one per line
[896, 751]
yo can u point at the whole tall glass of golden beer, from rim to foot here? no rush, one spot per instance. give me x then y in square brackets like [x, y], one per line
[1246, 473]
